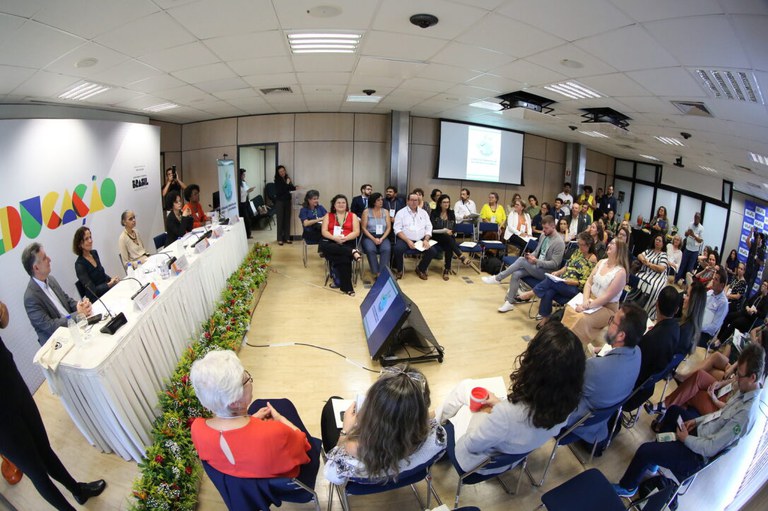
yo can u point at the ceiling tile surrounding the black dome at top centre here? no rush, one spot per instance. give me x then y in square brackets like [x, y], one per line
[453, 18]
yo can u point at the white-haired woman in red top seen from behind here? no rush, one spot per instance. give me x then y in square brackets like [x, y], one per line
[266, 444]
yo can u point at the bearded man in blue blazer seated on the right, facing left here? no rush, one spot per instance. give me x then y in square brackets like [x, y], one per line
[610, 378]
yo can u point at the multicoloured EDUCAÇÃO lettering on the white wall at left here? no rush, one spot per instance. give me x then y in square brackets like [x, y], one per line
[36, 212]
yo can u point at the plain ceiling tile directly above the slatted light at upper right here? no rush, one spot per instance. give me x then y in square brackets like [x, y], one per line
[716, 46]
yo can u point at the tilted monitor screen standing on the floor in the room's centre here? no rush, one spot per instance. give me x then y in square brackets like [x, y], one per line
[384, 310]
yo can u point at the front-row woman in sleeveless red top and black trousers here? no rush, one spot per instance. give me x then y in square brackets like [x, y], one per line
[340, 231]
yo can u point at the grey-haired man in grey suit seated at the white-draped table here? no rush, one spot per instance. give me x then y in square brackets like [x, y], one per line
[46, 303]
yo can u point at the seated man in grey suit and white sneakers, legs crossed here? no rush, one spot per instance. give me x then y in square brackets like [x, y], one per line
[545, 259]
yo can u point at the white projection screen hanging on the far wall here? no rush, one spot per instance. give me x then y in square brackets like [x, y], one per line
[471, 152]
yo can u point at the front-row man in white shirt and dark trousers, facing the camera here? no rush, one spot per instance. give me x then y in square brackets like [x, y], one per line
[412, 224]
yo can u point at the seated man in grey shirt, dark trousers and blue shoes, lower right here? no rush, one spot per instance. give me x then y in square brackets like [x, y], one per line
[702, 438]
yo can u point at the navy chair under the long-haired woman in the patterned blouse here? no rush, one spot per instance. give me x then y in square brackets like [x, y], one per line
[359, 486]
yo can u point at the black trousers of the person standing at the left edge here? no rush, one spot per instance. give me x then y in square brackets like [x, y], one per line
[23, 439]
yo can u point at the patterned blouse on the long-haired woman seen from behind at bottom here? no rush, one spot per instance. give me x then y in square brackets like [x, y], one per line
[341, 465]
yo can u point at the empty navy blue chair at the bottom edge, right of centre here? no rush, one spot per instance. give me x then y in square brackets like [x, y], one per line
[587, 491]
